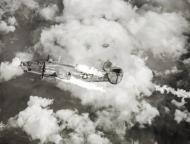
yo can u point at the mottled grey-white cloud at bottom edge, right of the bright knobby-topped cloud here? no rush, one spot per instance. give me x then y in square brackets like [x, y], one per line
[84, 128]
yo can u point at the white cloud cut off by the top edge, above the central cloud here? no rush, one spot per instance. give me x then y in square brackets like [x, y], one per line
[110, 9]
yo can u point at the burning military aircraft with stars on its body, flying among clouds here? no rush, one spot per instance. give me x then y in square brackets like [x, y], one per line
[52, 69]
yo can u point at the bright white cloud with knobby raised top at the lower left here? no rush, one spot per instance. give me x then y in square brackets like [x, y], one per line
[37, 120]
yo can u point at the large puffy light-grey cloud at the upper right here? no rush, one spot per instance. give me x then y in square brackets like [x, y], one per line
[160, 33]
